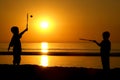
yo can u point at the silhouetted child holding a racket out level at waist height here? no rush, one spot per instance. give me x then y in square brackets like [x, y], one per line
[105, 47]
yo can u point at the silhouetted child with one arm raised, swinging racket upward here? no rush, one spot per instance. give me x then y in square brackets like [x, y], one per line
[16, 44]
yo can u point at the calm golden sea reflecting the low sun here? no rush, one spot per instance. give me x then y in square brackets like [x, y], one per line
[65, 61]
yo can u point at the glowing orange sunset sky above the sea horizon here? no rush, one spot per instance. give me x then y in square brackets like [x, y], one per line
[68, 20]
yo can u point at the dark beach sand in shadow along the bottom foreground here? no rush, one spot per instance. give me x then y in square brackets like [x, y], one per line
[35, 72]
